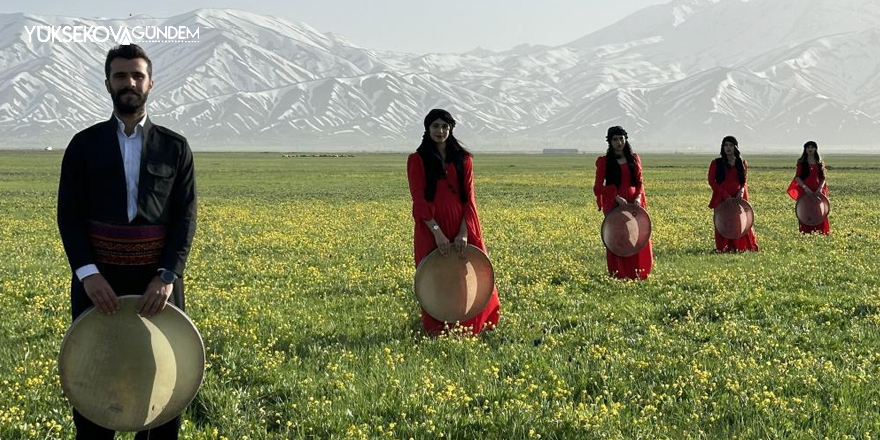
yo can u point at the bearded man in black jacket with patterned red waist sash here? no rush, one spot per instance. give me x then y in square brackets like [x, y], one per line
[127, 209]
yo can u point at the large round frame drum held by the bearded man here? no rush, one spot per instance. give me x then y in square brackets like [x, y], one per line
[129, 373]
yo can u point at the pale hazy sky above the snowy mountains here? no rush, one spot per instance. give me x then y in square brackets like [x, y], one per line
[400, 25]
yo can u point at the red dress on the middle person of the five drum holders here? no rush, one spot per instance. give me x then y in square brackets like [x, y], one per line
[637, 266]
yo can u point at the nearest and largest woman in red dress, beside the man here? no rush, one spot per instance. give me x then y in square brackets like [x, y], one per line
[441, 182]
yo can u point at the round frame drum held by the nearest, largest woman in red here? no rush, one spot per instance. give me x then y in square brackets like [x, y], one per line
[454, 288]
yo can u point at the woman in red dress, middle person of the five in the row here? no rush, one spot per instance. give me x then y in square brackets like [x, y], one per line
[619, 182]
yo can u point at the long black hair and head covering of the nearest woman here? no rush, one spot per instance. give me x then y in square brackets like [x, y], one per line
[433, 162]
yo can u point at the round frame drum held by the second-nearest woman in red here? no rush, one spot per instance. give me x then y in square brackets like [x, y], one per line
[626, 230]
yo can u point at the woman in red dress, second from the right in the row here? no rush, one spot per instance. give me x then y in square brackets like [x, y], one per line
[727, 177]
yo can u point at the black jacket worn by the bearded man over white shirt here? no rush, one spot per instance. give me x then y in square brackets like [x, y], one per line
[92, 187]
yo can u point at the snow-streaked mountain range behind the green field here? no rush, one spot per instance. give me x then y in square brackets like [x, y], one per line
[678, 75]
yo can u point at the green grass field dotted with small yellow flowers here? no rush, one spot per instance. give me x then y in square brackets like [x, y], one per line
[300, 282]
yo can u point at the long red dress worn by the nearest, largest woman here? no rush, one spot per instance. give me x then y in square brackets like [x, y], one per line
[447, 210]
